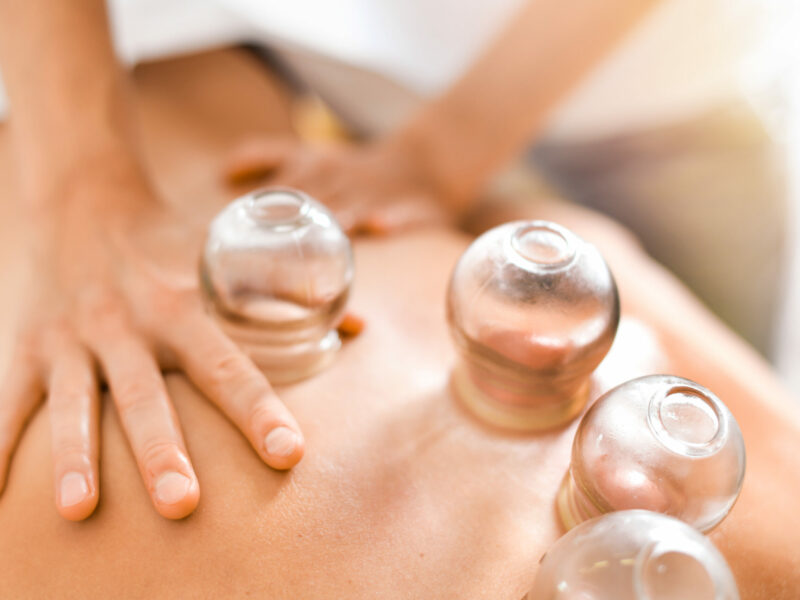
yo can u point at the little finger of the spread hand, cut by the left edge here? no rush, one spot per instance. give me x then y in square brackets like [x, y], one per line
[21, 394]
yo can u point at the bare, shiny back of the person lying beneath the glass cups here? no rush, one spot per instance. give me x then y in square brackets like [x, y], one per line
[401, 494]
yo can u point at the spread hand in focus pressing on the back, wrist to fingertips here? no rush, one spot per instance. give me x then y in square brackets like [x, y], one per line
[114, 299]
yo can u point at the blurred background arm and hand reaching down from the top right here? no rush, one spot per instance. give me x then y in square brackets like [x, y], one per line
[455, 143]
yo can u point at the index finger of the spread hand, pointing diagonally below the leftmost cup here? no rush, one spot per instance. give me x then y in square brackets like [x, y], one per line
[230, 379]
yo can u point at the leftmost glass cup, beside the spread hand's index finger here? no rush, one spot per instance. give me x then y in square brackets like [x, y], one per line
[276, 272]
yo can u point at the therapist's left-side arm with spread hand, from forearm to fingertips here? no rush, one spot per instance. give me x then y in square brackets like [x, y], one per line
[112, 293]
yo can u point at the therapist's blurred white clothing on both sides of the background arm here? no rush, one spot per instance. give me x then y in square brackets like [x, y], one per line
[375, 60]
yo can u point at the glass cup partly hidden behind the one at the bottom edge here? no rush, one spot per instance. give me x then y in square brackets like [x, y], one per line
[660, 443]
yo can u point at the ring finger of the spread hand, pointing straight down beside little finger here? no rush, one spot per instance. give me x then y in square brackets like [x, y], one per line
[74, 407]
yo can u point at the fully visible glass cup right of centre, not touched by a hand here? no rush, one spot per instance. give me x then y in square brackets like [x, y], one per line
[533, 309]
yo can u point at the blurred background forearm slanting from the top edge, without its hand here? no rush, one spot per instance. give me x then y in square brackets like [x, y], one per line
[488, 116]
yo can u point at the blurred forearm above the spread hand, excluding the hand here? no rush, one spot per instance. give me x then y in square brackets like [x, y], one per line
[69, 105]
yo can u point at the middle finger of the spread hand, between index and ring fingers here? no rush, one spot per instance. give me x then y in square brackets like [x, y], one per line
[150, 423]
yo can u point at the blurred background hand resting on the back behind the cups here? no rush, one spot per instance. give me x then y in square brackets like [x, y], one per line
[372, 188]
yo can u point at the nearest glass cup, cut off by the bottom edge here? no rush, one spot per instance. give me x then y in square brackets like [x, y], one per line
[633, 555]
